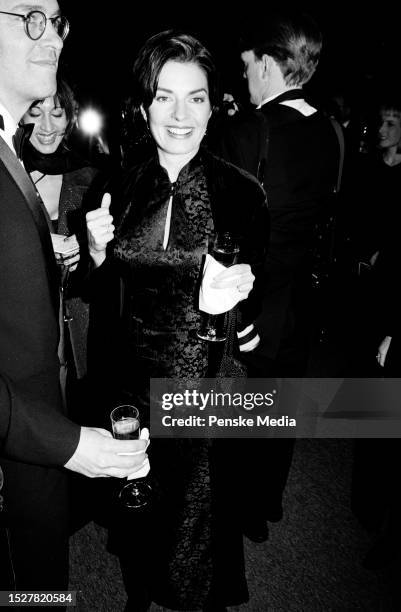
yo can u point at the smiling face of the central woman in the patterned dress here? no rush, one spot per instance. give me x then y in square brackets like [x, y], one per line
[180, 111]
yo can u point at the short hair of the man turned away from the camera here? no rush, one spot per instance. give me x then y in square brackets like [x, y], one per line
[293, 41]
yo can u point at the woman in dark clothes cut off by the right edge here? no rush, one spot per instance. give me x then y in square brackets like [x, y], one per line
[376, 496]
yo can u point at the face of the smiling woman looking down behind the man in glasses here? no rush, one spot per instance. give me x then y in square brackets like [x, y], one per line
[50, 124]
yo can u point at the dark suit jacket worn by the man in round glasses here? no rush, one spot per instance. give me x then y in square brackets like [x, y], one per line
[33, 428]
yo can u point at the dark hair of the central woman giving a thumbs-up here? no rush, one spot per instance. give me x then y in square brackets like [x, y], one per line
[170, 46]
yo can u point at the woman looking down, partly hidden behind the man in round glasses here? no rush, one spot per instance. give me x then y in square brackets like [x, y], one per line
[62, 179]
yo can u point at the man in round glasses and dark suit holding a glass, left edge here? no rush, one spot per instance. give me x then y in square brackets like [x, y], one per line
[36, 437]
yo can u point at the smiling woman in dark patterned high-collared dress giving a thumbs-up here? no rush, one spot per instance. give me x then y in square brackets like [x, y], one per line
[190, 554]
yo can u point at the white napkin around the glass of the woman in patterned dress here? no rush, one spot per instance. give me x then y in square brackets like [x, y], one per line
[216, 301]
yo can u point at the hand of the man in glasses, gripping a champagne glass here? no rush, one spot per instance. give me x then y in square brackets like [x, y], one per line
[98, 454]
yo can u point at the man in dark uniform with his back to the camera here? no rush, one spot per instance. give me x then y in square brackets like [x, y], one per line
[293, 149]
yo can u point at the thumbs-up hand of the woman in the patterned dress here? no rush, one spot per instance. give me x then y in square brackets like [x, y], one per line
[100, 229]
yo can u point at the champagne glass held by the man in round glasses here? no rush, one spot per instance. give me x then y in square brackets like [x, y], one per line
[126, 426]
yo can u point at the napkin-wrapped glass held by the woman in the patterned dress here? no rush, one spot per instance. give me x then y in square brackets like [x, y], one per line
[225, 250]
